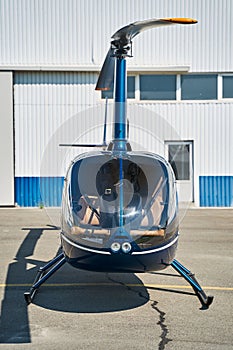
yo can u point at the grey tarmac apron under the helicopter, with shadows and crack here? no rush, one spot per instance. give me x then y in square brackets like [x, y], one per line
[85, 310]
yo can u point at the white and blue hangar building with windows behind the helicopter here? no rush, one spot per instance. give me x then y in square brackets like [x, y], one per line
[180, 89]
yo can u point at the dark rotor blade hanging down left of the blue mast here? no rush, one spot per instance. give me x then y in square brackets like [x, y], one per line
[106, 77]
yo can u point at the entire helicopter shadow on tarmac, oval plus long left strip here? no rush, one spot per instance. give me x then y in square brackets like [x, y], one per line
[69, 290]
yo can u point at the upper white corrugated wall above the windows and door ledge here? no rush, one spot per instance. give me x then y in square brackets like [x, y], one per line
[77, 33]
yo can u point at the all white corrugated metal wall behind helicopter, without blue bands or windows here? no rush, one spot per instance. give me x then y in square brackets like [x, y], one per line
[61, 36]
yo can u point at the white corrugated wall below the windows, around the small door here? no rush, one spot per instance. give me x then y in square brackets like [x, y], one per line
[208, 124]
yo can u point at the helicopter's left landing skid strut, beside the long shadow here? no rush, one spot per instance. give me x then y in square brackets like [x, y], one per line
[42, 275]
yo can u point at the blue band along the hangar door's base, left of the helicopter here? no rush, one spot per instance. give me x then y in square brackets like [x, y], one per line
[36, 191]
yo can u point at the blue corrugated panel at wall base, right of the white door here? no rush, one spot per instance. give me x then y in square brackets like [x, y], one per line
[216, 191]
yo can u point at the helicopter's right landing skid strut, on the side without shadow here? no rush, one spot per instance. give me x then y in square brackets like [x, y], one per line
[190, 278]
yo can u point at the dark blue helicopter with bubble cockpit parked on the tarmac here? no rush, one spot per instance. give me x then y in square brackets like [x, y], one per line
[119, 206]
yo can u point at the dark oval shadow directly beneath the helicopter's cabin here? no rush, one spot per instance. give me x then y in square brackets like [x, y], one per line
[80, 291]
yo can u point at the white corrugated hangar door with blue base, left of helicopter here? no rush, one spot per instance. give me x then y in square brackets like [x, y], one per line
[43, 103]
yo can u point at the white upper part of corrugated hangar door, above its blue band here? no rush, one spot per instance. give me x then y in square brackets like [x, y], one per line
[50, 109]
